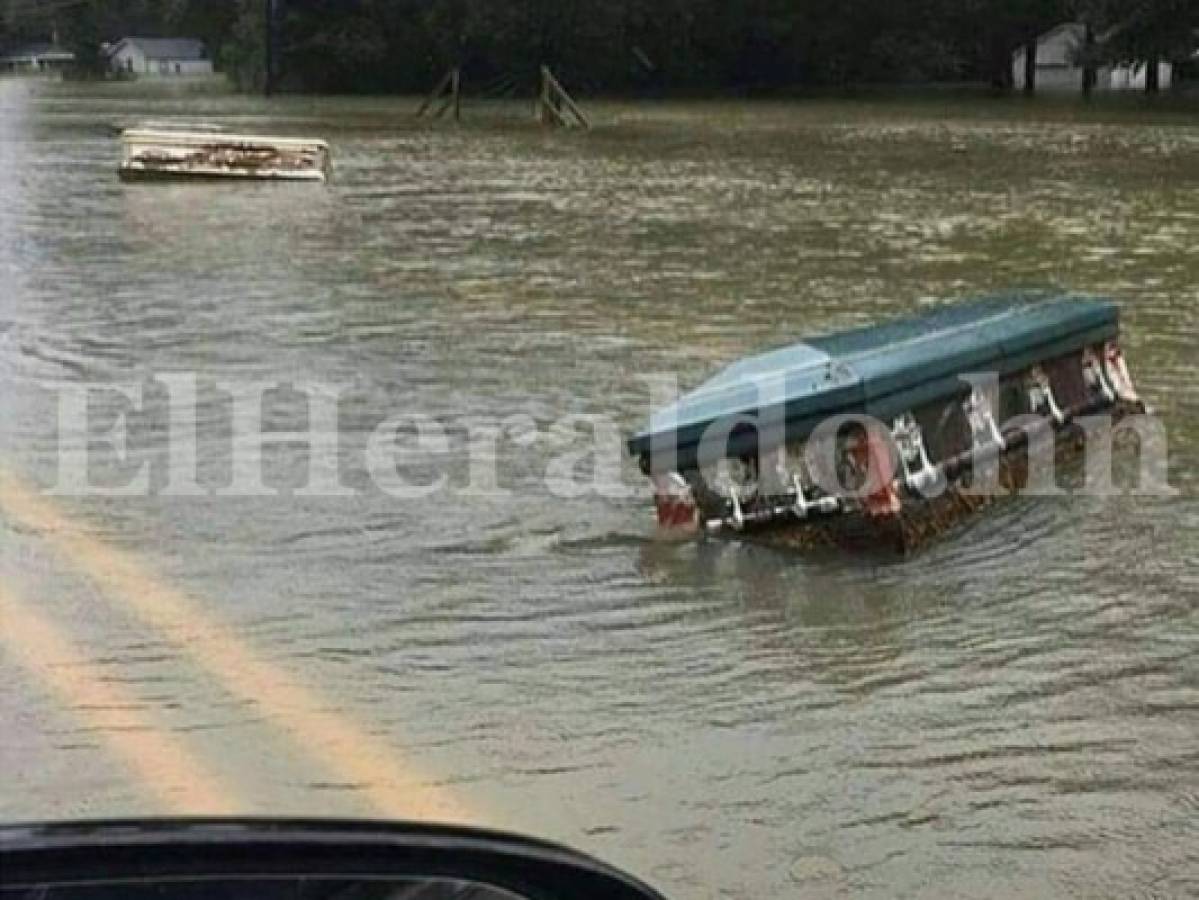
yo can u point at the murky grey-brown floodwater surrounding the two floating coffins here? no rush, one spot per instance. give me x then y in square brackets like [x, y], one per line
[1013, 712]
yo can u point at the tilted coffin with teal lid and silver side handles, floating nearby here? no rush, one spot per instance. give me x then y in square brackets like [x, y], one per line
[766, 445]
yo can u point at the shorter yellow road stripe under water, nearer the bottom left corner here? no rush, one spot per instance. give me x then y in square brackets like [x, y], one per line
[161, 763]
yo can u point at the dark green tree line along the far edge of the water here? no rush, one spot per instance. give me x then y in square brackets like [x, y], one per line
[613, 45]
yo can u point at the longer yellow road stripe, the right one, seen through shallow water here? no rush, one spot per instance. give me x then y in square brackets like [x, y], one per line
[327, 736]
